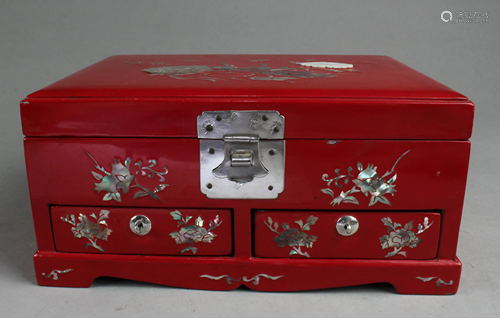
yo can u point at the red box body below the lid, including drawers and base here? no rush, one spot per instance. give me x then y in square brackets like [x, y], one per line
[406, 197]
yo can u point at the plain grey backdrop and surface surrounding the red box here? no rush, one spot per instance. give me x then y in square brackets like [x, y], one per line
[44, 41]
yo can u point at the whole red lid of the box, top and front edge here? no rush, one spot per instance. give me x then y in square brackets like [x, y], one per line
[320, 96]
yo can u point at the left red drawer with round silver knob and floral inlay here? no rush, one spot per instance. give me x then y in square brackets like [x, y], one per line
[183, 232]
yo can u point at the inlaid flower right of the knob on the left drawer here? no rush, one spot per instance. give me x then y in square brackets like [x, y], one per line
[191, 234]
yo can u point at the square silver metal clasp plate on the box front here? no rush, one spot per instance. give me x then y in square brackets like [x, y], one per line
[242, 154]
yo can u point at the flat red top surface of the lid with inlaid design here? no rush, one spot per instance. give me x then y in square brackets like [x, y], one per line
[249, 76]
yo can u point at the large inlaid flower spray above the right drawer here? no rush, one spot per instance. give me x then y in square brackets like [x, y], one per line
[367, 182]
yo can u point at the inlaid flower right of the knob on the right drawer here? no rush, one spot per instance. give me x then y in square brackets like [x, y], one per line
[400, 237]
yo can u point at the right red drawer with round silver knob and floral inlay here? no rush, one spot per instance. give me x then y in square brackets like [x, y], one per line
[379, 235]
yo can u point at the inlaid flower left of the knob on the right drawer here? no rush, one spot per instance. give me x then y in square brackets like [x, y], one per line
[295, 238]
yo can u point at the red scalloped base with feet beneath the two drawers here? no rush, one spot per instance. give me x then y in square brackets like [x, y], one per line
[432, 277]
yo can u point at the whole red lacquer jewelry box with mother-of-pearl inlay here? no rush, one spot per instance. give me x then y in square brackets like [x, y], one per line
[277, 172]
